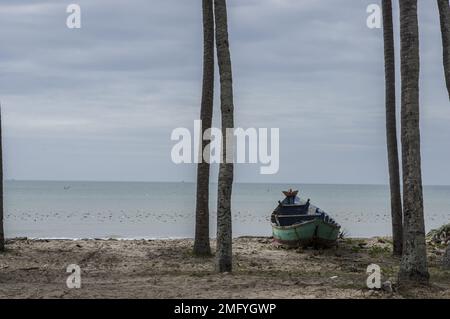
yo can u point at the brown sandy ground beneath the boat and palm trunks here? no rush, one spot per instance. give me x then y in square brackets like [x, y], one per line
[167, 269]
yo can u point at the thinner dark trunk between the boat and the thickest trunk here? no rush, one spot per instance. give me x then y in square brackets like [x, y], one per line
[391, 129]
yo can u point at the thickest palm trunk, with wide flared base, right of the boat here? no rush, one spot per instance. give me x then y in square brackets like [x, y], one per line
[413, 267]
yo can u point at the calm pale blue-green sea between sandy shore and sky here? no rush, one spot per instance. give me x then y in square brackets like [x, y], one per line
[163, 210]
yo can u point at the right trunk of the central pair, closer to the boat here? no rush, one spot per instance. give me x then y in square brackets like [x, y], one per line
[224, 231]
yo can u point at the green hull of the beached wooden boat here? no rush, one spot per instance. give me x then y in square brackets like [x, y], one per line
[316, 232]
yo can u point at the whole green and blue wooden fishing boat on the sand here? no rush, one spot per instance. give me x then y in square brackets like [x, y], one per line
[296, 222]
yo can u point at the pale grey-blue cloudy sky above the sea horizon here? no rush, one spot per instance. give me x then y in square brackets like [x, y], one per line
[100, 102]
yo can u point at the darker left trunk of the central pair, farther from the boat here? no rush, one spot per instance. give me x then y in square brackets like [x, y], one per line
[201, 243]
